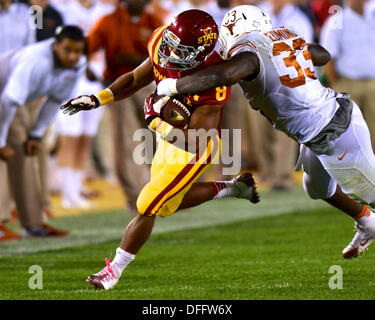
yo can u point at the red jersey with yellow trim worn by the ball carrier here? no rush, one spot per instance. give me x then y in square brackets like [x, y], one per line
[217, 96]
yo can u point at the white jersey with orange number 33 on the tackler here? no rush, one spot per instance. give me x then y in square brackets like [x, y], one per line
[286, 90]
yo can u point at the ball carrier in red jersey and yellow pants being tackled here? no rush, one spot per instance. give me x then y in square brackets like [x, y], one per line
[184, 46]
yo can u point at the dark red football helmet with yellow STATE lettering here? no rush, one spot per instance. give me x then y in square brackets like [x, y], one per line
[188, 40]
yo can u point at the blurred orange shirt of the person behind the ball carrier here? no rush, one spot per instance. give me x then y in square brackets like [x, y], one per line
[124, 41]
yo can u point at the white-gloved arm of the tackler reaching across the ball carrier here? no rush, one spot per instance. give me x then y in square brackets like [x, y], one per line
[244, 65]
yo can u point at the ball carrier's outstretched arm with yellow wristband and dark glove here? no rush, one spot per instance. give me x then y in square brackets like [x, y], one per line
[123, 87]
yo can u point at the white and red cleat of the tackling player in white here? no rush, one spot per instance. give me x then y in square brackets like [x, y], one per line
[360, 243]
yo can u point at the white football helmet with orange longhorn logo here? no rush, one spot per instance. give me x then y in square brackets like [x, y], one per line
[242, 19]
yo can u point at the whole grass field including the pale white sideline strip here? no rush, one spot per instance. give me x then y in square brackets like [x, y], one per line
[227, 249]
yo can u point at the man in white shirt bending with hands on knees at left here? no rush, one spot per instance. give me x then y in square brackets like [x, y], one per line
[46, 69]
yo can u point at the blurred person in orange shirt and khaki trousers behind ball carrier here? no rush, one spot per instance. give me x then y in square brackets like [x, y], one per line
[124, 36]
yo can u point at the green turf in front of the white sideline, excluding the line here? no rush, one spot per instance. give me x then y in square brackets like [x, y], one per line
[273, 257]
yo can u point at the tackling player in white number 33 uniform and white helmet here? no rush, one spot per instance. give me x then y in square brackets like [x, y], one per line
[274, 67]
